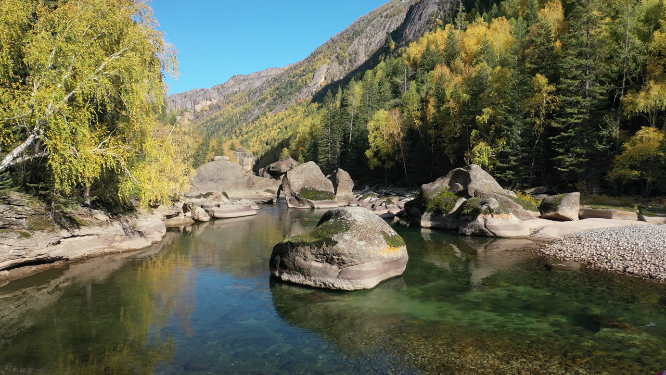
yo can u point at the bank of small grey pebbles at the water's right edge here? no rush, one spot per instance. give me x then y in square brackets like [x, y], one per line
[638, 250]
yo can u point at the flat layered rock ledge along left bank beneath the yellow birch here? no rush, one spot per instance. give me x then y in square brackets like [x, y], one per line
[33, 239]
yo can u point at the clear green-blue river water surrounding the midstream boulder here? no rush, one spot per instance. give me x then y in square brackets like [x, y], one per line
[203, 302]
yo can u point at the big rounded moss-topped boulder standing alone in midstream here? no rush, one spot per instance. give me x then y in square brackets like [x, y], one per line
[350, 249]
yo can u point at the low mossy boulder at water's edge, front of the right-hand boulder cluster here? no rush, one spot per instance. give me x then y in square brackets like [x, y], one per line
[489, 217]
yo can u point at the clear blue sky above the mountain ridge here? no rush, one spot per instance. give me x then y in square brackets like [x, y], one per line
[217, 39]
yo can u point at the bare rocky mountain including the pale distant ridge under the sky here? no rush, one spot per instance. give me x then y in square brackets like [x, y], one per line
[226, 110]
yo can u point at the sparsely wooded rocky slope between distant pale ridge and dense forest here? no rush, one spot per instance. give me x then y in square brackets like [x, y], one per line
[245, 114]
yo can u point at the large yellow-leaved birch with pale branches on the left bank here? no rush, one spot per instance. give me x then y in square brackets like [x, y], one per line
[80, 86]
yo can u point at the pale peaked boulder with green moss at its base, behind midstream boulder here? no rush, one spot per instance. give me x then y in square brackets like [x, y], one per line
[306, 187]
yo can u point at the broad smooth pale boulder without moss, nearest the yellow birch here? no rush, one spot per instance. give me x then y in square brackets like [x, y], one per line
[225, 176]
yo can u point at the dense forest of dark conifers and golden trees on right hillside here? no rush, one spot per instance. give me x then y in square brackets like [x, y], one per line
[558, 92]
